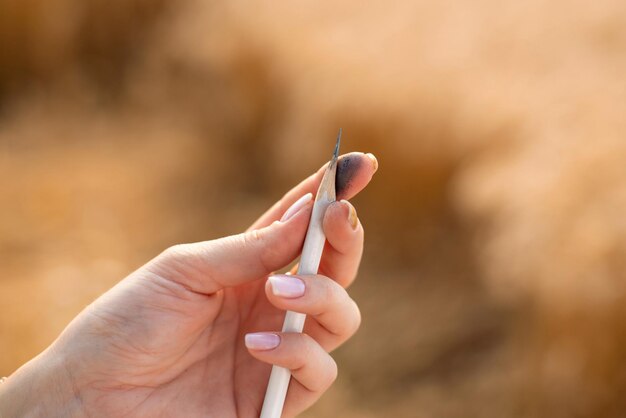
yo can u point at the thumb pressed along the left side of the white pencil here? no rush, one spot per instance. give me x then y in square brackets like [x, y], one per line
[206, 267]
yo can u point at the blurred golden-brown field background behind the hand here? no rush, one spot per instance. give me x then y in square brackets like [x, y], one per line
[493, 283]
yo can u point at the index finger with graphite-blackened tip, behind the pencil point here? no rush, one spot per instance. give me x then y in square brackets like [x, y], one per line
[354, 172]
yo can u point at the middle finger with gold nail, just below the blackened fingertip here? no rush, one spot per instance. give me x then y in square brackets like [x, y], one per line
[344, 243]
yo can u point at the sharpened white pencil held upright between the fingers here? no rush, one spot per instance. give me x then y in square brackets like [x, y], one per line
[309, 263]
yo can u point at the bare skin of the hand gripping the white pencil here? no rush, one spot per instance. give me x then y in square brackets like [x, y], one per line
[168, 340]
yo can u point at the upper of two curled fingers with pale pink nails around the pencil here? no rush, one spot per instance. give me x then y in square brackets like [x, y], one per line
[336, 317]
